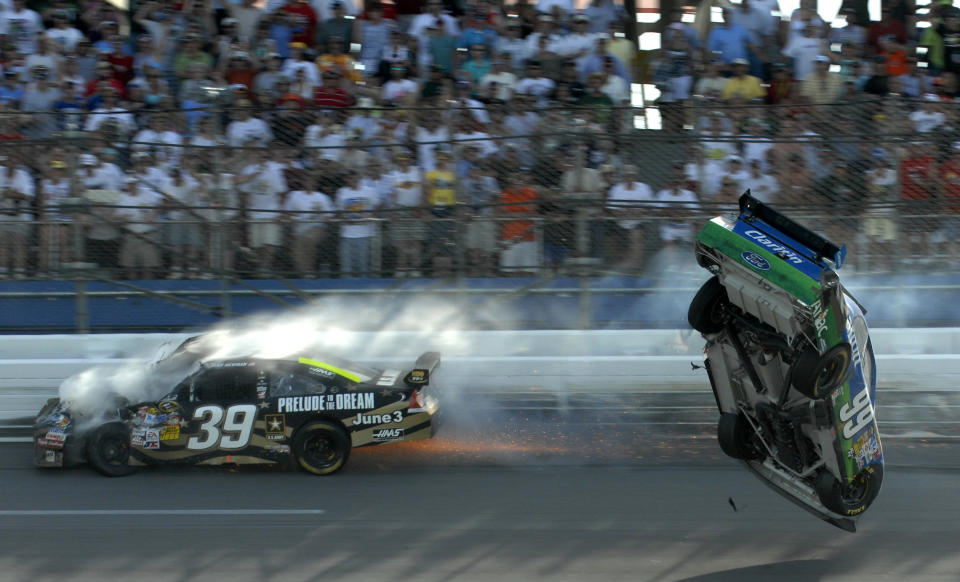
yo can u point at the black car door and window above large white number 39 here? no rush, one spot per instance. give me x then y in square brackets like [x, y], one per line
[222, 408]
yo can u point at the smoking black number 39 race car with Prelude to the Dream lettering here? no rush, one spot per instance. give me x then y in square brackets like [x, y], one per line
[309, 410]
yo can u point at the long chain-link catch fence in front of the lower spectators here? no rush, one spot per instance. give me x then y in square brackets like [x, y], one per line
[226, 191]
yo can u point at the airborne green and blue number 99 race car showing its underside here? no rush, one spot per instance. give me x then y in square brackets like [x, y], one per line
[790, 361]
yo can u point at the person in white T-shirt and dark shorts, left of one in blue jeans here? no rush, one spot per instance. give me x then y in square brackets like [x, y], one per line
[309, 210]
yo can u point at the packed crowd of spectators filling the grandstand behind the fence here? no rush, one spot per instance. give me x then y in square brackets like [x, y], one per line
[311, 137]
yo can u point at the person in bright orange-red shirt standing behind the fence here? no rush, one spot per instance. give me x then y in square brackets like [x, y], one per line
[518, 235]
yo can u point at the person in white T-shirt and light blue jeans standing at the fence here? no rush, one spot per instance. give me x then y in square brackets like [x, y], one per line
[356, 204]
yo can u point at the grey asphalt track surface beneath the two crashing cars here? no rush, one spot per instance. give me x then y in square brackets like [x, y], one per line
[529, 494]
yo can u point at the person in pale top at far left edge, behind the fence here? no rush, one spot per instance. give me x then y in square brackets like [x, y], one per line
[17, 192]
